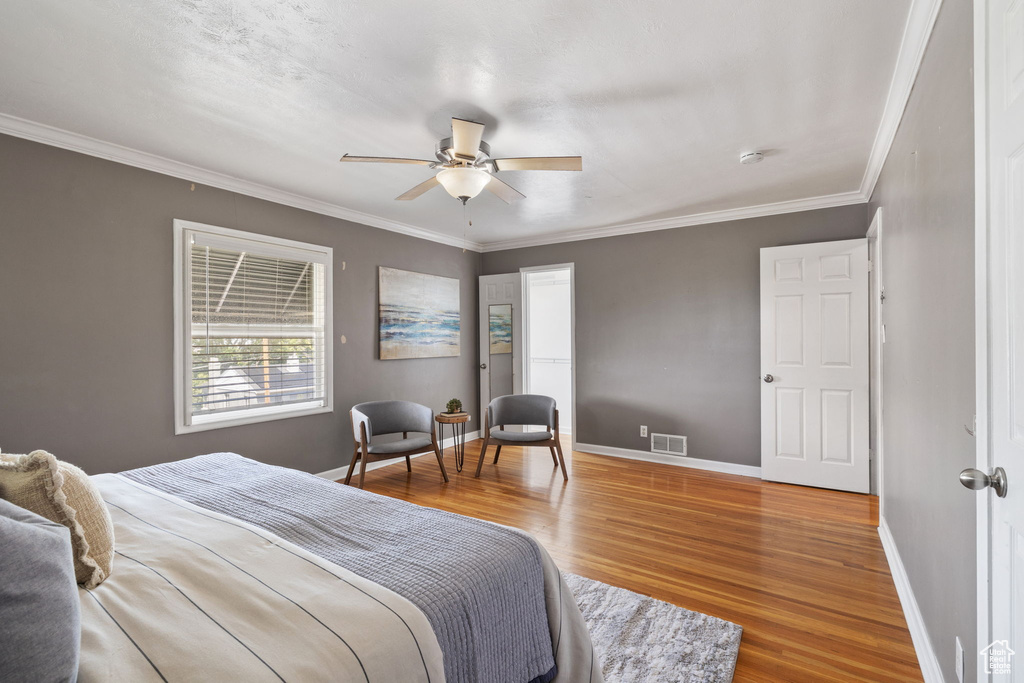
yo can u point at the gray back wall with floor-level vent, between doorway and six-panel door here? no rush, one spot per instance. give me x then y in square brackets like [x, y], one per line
[668, 328]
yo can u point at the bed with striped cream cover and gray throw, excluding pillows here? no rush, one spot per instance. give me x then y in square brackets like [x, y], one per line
[230, 569]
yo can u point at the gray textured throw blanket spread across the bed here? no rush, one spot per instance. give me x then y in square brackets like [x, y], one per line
[481, 585]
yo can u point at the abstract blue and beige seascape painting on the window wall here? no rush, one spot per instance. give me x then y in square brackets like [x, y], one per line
[419, 315]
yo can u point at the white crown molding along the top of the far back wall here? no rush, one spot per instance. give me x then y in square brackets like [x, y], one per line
[791, 206]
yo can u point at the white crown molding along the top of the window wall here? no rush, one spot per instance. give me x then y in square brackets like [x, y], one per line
[65, 140]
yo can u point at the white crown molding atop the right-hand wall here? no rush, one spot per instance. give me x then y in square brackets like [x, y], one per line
[920, 23]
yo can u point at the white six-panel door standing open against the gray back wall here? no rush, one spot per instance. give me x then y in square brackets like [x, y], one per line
[815, 365]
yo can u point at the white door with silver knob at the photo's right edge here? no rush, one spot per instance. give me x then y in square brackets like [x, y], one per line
[1001, 199]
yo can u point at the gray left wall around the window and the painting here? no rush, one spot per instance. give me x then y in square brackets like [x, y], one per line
[87, 315]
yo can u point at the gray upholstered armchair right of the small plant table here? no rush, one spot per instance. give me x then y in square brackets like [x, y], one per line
[525, 409]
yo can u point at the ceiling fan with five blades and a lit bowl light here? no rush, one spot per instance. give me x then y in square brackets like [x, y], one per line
[466, 166]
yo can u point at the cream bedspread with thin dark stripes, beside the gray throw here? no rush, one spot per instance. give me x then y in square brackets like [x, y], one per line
[199, 596]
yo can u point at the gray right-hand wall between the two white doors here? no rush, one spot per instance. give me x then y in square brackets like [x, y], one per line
[927, 194]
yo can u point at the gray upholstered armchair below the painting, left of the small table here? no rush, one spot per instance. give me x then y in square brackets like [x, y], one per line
[393, 417]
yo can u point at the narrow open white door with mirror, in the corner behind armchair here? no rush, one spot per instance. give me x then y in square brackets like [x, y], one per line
[501, 365]
